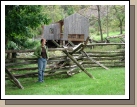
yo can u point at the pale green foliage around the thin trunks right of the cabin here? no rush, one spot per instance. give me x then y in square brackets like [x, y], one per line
[115, 16]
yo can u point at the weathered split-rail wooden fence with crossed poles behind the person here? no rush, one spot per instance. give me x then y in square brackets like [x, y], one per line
[72, 63]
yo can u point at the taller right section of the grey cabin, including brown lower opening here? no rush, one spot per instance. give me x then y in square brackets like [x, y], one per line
[76, 28]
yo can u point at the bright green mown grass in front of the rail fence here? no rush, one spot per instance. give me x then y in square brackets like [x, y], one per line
[106, 82]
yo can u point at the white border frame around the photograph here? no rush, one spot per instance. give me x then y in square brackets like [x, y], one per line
[126, 96]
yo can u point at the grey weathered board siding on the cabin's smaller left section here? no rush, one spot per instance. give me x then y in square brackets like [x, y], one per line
[56, 32]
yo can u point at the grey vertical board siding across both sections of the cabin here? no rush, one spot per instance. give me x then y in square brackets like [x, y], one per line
[73, 24]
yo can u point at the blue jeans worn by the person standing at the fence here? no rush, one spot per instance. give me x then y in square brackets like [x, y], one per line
[41, 68]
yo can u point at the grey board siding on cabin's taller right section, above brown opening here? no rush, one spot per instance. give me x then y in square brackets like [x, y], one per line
[76, 24]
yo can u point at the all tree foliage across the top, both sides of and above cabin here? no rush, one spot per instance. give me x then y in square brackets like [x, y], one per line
[25, 21]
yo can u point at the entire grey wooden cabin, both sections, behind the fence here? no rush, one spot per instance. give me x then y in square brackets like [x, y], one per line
[74, 28]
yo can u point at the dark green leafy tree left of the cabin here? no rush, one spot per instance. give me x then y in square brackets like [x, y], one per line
[21, 22]
